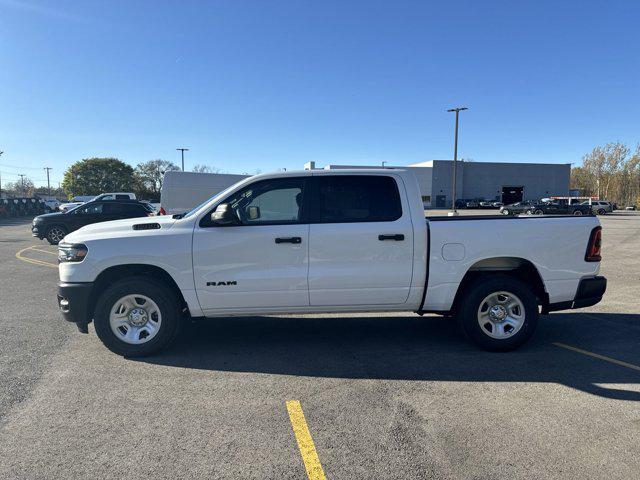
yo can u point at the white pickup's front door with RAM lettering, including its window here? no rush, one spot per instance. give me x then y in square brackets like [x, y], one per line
[262, 261]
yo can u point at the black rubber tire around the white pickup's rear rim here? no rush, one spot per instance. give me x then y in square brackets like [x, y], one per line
[471, 303]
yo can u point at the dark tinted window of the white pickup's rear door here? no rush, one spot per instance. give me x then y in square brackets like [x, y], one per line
[356, 198]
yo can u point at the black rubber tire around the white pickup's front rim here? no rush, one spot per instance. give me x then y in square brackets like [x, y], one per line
[166, 299]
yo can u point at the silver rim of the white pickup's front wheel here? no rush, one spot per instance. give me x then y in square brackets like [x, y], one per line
[135, 319]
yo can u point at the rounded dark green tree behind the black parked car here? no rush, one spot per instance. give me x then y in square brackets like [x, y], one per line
[93, 176]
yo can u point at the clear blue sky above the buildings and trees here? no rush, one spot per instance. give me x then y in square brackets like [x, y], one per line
[250, 85]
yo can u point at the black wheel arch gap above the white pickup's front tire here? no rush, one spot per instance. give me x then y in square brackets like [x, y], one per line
[120, 272]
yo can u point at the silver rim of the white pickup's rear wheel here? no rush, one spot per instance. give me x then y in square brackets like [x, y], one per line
[501, 315]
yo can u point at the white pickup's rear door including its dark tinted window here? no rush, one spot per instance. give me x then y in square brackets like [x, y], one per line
[361, 241]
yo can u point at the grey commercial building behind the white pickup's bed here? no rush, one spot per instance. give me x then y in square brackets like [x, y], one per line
[505, 182]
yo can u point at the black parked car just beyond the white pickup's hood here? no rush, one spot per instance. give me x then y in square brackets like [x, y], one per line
[54, 226]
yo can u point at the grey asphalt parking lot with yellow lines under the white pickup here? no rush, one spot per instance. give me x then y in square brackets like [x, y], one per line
[380, 396]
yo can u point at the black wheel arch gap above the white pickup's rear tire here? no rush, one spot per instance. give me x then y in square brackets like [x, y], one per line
[517, 267]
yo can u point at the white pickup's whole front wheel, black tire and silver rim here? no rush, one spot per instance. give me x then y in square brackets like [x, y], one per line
[137, 316]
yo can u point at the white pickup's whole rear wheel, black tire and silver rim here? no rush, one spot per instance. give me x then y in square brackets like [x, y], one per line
[498, 312]
